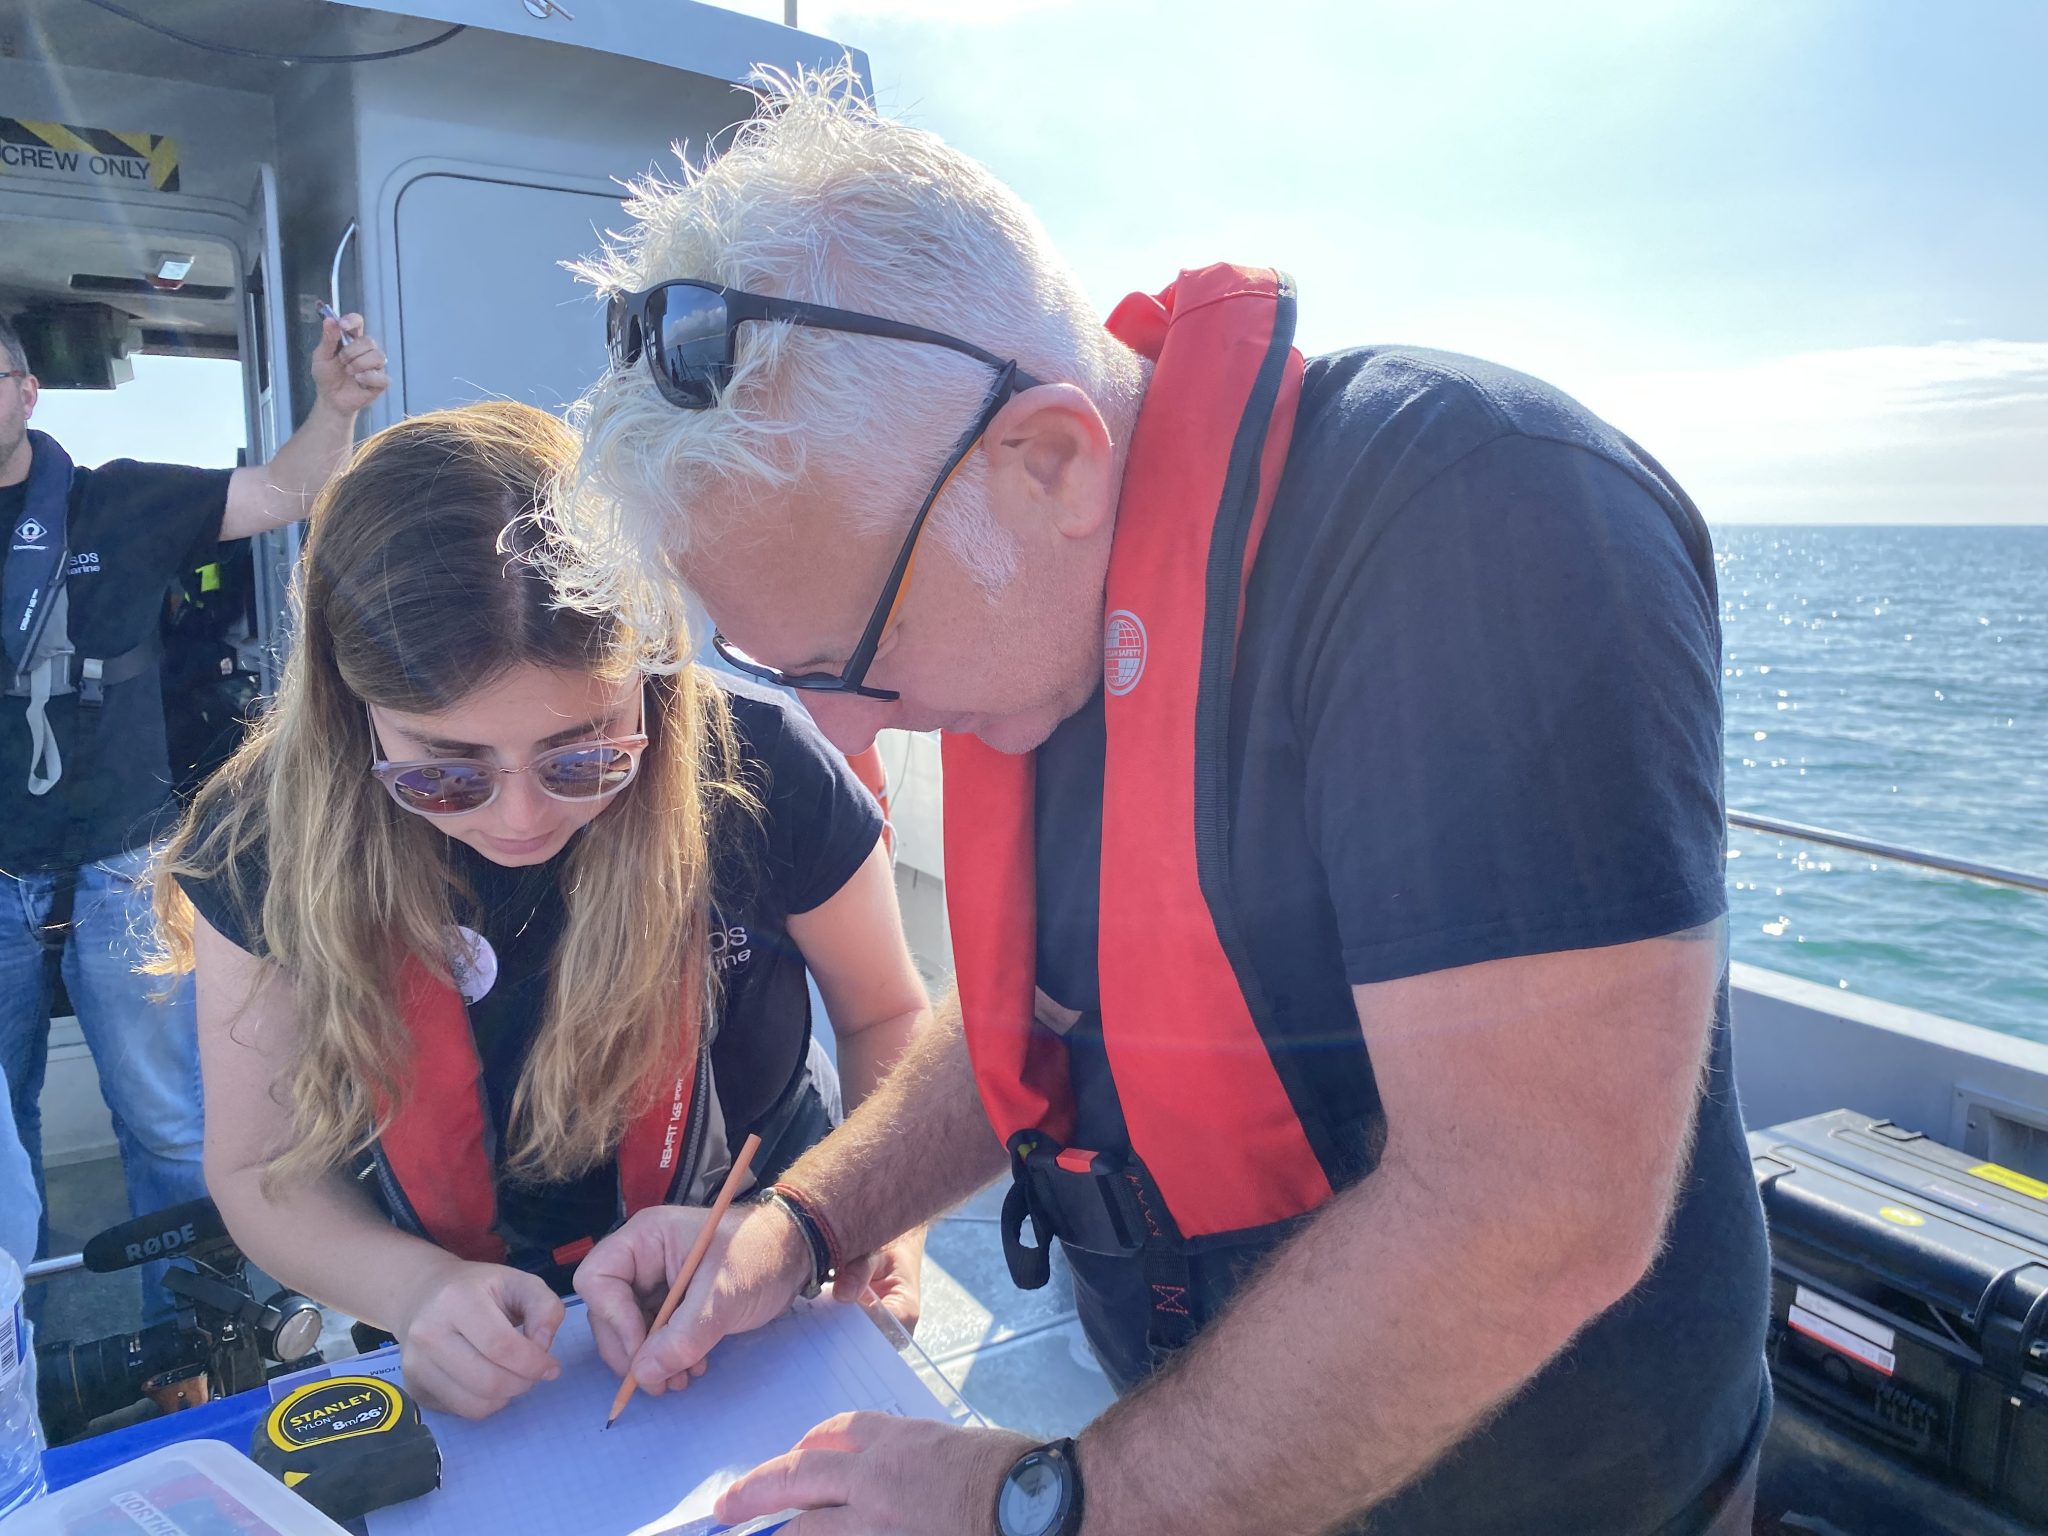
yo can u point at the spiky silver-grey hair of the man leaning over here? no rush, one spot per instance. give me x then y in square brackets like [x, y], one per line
[820, 198]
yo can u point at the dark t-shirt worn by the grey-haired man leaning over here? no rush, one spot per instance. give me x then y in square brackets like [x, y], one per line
[1476, 716]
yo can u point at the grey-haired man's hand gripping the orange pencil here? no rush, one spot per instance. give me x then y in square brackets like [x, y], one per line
[751, 1277]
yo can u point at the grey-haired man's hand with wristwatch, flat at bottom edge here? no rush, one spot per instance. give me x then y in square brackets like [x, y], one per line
[880, 1476]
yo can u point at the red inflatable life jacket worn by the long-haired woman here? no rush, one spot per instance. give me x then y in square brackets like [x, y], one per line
[437, 1146]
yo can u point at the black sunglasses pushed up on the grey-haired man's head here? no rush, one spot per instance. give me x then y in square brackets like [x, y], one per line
[689, 333]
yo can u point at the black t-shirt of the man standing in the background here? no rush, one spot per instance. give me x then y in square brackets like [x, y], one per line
[130, 529]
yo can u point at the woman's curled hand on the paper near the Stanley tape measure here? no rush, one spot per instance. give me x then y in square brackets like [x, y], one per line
[476, 1336]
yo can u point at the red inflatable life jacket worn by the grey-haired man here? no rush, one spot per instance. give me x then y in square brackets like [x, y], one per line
[1218, 1144]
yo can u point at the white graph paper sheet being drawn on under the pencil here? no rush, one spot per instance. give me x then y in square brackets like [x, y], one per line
[548, 1465]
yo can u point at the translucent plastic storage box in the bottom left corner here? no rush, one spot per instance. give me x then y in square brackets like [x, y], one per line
[198, 1488]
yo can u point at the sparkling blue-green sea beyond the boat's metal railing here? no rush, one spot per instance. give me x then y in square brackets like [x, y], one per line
[1891, 683]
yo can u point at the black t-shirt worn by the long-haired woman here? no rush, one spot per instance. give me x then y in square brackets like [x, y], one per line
[816, 830]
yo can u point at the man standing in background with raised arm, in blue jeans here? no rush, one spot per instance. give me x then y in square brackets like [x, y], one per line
[85, 779]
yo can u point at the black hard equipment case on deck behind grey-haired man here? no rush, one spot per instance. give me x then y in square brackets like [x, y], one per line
[1910, 1297]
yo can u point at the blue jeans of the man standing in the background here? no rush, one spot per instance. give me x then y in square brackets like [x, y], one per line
[146, 1050]
